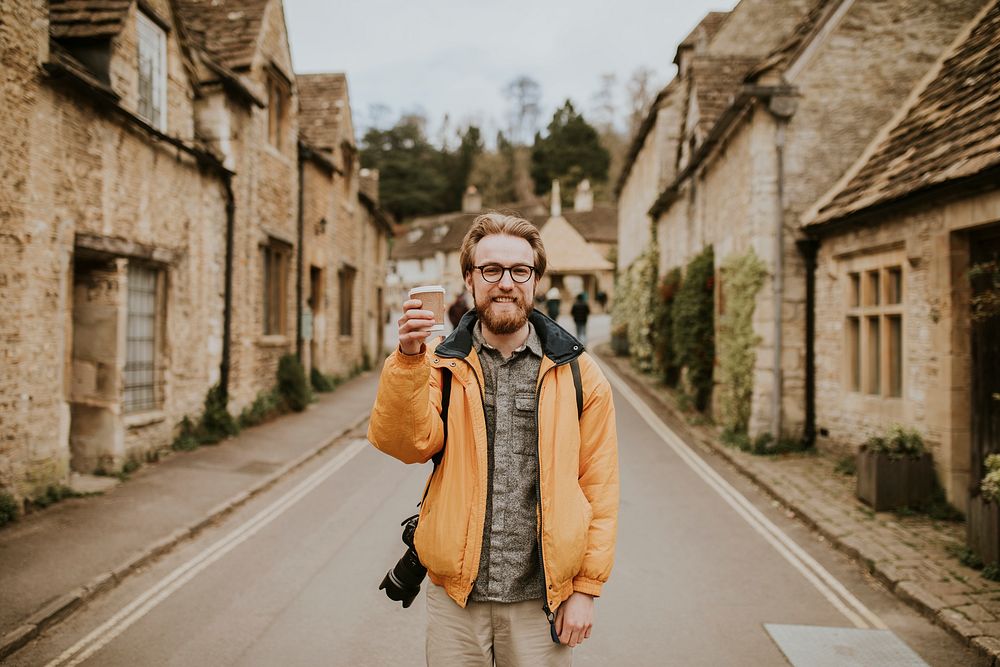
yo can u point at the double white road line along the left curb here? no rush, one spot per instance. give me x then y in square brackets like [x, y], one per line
[143, 604]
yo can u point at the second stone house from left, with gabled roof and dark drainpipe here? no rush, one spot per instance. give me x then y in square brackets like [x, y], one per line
[256, 139]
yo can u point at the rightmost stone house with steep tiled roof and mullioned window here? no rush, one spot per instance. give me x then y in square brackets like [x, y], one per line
[897, 340]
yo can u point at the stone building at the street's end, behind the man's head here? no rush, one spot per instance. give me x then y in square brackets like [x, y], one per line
[426, 252]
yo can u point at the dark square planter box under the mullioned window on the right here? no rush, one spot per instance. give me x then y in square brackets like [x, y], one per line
[888, 484]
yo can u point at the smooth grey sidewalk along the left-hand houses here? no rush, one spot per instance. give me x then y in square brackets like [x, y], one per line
[53, 561]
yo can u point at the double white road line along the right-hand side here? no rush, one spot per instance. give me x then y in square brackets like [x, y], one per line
[824, 582]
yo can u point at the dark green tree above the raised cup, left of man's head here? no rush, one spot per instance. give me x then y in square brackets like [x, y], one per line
[412, 178]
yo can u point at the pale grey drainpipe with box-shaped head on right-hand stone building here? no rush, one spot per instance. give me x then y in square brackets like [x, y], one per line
[782, 107]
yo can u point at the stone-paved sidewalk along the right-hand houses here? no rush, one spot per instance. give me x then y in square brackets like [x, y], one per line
[909, 555]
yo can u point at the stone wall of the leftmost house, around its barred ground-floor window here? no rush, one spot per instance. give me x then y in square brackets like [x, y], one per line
[93, 188]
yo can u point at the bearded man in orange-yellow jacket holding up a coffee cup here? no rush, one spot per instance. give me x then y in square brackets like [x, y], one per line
[517, 530]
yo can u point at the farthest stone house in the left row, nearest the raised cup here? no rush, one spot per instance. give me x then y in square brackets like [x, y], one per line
[346, 233]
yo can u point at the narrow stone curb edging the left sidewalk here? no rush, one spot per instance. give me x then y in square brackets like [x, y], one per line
[55, 611]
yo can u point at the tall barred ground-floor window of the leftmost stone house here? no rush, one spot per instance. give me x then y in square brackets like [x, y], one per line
[142, 389]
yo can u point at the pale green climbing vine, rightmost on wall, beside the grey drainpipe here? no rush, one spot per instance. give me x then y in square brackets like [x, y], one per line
[742, 277]
